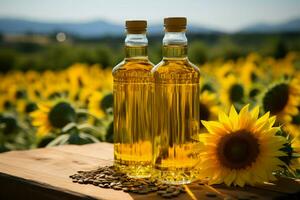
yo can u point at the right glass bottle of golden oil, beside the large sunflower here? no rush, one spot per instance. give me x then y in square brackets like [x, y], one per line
[175, 108]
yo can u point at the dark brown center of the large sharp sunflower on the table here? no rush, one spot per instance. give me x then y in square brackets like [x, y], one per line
[238, 150]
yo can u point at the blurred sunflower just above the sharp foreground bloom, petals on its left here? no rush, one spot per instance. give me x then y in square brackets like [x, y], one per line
[232, 91]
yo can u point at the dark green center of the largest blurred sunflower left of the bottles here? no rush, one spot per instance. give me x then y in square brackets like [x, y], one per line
[61, 114]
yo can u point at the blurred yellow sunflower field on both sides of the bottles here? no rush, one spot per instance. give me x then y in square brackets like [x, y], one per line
[75, 105]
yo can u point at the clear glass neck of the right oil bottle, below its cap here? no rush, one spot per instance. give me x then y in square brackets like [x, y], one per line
[175, 45]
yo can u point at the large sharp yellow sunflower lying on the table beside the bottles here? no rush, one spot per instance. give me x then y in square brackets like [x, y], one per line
[240, 148]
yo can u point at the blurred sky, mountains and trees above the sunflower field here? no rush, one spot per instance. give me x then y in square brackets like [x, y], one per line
[55, 34]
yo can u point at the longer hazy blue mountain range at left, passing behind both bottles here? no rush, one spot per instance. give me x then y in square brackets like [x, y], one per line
[88, 29]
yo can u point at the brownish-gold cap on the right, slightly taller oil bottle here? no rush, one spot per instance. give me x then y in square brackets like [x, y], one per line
[175, 24]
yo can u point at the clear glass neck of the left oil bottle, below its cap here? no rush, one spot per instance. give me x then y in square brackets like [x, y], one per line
[136, 46]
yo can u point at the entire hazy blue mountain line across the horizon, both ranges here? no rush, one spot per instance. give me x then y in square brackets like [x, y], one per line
[101, 28]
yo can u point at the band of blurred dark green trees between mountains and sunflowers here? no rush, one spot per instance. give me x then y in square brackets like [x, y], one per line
[108, 51]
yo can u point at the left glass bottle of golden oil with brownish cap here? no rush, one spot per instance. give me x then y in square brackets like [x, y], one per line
[132, 105]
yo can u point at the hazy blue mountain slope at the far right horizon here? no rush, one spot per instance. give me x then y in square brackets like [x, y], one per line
[289, 26]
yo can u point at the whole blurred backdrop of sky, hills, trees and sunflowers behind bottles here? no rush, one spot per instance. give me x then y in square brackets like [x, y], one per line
[56, 59]
